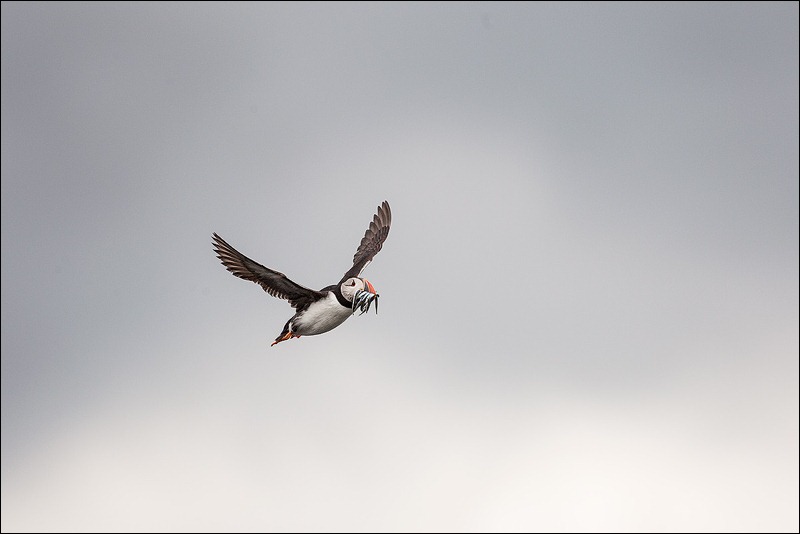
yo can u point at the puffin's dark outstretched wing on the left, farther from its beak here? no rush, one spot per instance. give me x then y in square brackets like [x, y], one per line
[273, 282]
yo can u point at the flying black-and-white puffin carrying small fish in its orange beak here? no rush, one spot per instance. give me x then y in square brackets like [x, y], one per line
[316, 312]
